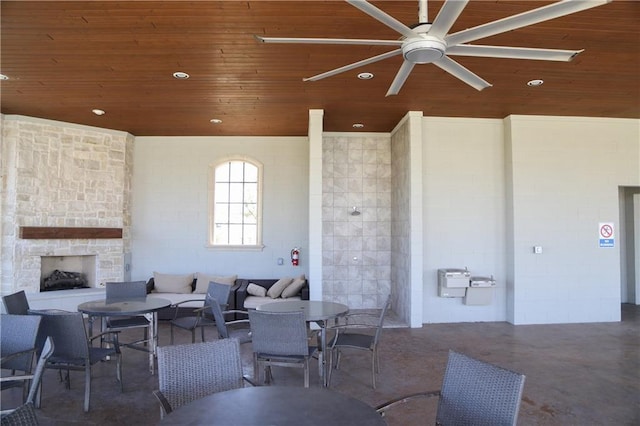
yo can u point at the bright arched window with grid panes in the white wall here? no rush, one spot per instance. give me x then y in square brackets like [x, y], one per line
[235, 213]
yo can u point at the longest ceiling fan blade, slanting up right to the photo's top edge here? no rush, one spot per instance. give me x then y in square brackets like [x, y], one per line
[531, 17]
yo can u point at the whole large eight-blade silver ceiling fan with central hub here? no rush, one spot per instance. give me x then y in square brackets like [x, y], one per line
[430, 43]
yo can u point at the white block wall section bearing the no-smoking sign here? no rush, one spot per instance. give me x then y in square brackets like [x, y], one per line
[566, 174]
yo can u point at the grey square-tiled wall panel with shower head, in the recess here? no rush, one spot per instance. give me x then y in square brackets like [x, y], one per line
[356, 250]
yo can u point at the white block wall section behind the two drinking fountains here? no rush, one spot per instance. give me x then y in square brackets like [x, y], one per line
[464, 212]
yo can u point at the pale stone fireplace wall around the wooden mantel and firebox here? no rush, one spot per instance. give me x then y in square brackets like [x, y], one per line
[60, 174]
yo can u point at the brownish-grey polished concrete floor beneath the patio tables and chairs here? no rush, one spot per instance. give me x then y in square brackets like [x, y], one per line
[577, 374]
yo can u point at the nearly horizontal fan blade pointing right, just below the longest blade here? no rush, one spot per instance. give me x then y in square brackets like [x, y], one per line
[512, 52]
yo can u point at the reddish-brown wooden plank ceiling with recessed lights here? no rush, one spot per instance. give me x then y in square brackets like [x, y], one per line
[65, 58]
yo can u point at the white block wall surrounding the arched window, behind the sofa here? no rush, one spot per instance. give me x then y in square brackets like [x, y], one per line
[170, 206]
